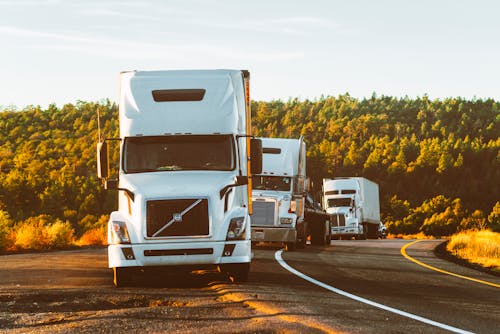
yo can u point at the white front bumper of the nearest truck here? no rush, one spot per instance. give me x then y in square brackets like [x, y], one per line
[178, 254]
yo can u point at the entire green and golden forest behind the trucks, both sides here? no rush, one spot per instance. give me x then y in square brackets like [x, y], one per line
[437, 162]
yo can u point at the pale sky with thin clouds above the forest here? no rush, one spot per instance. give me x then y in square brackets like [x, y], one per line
[63, 51]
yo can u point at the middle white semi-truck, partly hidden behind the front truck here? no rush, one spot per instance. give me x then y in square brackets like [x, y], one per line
[282, 213]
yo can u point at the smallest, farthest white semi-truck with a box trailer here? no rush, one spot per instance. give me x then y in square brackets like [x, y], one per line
[354, 204]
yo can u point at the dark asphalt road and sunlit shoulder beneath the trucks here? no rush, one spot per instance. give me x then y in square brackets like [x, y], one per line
[366, 287]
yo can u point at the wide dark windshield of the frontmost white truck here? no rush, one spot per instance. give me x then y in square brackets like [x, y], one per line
[183, 152]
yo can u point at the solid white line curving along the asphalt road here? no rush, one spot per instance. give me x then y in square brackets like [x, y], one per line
[285, 265]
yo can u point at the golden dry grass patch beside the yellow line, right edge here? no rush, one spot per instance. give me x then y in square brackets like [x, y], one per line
[480, 247]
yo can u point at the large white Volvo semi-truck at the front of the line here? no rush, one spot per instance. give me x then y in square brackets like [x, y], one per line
[184, 177]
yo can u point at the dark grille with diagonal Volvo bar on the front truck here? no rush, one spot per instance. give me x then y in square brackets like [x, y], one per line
[177, 218]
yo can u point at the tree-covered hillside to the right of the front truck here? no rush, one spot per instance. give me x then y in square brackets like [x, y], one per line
[428, 156]
